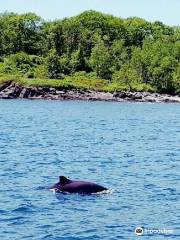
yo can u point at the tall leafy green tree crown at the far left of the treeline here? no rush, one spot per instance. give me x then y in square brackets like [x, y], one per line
[21, 33]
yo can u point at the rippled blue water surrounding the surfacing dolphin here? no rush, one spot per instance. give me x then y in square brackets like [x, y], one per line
[131, 148]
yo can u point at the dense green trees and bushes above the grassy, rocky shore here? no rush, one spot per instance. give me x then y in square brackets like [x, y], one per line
[130, 54]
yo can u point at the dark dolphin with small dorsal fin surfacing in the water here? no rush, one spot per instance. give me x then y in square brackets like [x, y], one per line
[71, 186]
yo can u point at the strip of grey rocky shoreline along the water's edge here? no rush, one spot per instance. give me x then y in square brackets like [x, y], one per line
[12, 90]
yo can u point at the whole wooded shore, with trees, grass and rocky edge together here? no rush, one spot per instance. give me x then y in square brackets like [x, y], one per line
[92, 56]
